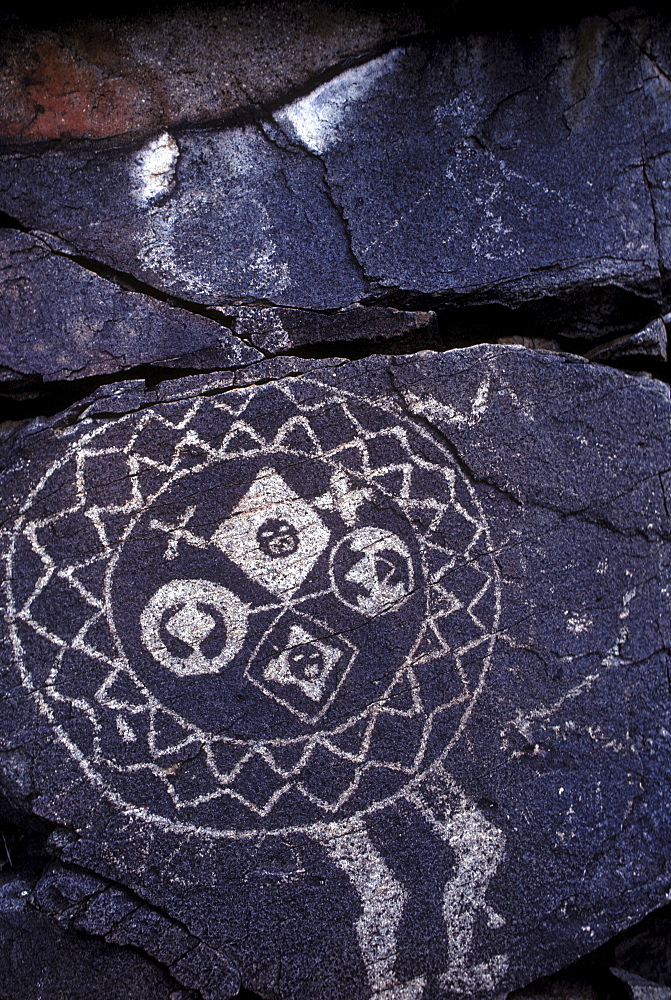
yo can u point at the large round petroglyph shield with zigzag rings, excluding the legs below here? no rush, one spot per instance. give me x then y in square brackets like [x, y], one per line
[256, 611]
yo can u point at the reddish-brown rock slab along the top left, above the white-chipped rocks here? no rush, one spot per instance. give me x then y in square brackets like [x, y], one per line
[105, 77]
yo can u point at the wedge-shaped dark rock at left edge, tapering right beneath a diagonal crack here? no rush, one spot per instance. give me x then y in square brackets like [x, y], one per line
[60, 320]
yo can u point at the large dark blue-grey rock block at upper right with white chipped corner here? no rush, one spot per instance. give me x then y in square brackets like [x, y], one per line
[521, 157]
